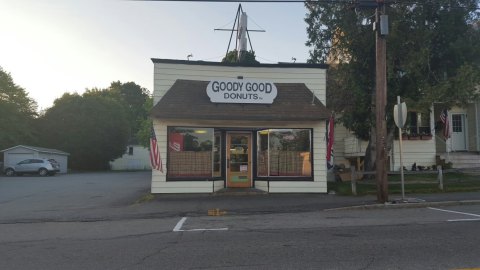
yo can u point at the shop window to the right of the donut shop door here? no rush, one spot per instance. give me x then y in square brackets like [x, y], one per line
[284, 152]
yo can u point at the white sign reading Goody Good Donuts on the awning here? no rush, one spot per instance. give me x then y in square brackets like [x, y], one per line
[241, 91]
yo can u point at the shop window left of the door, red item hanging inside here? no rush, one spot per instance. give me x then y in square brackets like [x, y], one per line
[190, 152]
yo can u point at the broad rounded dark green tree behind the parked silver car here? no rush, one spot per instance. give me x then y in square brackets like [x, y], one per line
[94, 129]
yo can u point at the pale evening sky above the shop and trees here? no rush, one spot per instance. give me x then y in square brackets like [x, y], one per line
[50, 47]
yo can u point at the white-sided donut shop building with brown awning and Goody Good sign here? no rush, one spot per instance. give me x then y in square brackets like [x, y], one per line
[230, 126]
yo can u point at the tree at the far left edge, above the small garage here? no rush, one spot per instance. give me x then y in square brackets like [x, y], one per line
[17, 111]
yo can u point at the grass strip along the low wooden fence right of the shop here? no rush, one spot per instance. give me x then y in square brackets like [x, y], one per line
[414, 183]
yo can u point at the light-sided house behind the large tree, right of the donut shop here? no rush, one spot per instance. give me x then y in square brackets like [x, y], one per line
[461, 148]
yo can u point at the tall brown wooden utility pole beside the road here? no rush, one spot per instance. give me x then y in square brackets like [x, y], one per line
[381, 30]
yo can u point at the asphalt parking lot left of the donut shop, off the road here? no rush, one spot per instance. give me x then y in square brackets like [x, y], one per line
[70, 196]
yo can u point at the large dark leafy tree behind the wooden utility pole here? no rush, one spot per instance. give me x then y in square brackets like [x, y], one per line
[432, 56]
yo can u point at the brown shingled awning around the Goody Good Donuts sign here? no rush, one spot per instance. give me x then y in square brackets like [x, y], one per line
[188, 99]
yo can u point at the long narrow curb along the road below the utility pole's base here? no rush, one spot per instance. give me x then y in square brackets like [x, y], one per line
[406, 205]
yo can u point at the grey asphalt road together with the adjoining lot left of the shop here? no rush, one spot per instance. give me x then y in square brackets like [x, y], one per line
[76, 237]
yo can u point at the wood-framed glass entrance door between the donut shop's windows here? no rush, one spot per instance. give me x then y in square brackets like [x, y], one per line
[239, 165]
